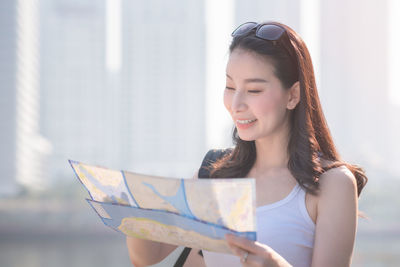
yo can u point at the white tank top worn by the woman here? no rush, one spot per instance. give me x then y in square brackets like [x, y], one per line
[285, 226]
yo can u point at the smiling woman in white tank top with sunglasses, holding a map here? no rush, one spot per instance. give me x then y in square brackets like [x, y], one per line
[306, 195]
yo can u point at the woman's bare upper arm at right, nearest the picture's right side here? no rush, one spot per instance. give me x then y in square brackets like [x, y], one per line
[337, 218]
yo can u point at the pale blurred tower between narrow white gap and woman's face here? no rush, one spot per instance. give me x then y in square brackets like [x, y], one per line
[163, 86]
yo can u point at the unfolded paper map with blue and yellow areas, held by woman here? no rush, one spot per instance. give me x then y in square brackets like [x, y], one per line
[195, 213]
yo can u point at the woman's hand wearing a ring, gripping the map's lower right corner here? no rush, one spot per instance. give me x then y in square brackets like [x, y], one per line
[252, 253]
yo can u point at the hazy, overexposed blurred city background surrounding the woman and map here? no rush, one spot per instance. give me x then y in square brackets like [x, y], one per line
[137, 85]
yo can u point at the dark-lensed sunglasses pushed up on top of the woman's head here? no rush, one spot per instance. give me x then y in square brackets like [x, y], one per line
[270, 32]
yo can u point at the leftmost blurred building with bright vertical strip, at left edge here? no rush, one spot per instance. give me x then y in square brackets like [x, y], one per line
[24, 149]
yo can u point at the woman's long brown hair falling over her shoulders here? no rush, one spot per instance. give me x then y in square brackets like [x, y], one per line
[310, 138]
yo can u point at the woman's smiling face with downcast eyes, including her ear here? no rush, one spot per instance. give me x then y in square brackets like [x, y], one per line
[255, 98]
